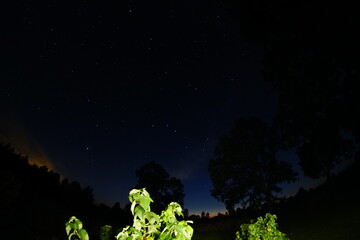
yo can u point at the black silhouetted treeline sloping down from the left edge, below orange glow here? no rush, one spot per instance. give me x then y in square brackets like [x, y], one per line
[36, 202]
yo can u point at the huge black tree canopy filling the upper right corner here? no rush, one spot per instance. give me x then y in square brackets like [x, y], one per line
[311, 58]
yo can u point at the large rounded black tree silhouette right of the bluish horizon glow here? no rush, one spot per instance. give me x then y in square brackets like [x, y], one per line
[245, 169]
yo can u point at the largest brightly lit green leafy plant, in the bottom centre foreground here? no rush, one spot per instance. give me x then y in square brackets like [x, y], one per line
[149, 225]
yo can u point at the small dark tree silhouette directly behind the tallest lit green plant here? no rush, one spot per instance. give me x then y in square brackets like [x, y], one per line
[162, 188]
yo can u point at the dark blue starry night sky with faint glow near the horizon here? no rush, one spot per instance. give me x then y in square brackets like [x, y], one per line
[96, 90]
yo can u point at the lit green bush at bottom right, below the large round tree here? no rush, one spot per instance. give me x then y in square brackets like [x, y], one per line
[263, 229]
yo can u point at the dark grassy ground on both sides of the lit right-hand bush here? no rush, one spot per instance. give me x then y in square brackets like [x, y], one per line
[331, 224]
